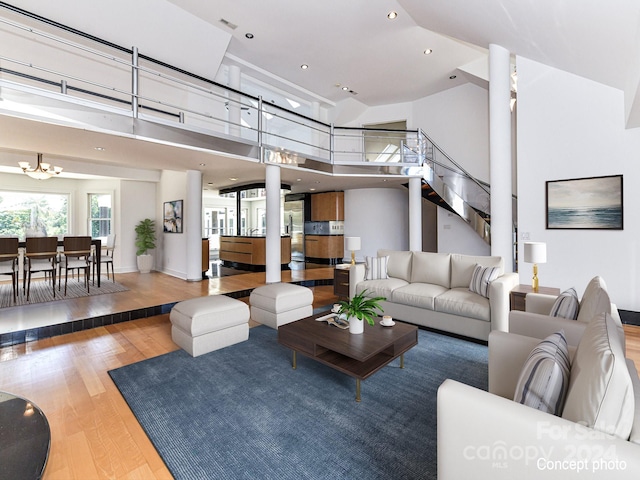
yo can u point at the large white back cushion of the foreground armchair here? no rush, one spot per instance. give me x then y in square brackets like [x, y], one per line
[600, 390]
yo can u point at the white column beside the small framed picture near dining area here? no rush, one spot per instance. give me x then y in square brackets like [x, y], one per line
[192, 225]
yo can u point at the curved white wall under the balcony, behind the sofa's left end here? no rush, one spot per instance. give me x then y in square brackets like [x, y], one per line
[379, 216]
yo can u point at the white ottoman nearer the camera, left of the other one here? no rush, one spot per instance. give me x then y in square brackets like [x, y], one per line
[204, 324]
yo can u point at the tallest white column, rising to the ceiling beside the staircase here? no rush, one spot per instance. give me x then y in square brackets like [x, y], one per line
[500, 154]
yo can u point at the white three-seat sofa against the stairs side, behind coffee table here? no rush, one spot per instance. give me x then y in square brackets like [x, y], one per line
[433, 290]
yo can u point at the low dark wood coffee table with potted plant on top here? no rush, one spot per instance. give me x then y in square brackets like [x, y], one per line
[359, 356]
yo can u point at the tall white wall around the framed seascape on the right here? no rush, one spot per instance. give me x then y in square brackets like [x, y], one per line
[570, 127]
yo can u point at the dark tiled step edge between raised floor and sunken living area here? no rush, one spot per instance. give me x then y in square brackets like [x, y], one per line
[40, 333]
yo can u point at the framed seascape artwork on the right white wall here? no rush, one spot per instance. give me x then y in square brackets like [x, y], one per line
[585, 203]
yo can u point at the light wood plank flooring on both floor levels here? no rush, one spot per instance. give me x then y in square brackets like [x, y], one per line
[94, 434]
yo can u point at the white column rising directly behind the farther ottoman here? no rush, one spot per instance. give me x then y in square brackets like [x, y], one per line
[272, 185]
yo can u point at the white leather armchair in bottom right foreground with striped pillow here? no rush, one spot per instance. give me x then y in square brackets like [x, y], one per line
[595, 435]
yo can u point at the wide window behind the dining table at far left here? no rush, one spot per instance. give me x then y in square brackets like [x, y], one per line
[27, 214]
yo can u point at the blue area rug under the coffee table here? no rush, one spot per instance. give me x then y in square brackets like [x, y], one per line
[243, 412]
